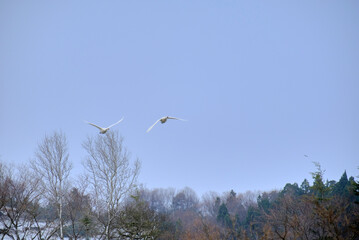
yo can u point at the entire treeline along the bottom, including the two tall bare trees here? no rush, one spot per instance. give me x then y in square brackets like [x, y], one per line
[39, 201]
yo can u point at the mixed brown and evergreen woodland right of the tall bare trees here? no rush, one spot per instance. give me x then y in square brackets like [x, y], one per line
[321, 210]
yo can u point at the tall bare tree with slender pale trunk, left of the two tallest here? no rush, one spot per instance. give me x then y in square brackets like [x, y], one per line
[51, 164]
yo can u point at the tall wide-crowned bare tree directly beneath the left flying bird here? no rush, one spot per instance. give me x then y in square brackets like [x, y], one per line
[111, 176]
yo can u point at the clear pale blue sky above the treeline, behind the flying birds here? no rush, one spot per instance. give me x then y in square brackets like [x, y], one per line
[261, 83]
